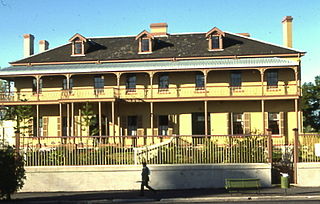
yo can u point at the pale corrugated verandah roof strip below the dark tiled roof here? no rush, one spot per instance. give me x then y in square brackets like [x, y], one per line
[147, 66]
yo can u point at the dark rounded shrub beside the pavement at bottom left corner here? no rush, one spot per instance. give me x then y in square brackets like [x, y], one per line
[12, 172]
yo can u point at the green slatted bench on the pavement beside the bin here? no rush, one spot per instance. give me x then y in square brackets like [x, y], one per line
[242, 183]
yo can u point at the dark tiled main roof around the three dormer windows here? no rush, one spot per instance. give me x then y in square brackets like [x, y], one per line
[178, 45]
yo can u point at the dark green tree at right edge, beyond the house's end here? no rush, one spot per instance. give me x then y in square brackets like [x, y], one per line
[311, 105]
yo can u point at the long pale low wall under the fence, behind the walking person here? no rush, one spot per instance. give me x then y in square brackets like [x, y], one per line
[93, 178]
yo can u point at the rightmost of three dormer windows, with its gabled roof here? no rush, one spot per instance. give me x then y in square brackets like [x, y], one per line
[215, 39]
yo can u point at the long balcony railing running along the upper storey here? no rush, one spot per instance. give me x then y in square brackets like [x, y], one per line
[148, 93]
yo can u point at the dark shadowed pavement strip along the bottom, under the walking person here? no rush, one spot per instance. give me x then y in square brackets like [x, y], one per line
[274, 193]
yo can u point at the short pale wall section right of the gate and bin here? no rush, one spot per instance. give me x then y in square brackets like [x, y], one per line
[308, 174]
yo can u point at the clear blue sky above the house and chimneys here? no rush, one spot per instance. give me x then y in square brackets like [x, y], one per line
[58, 20]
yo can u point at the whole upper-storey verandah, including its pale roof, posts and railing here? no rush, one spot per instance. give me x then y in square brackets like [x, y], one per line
[243, 79]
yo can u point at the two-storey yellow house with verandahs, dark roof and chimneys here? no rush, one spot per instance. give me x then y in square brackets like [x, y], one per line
[158, 84]
